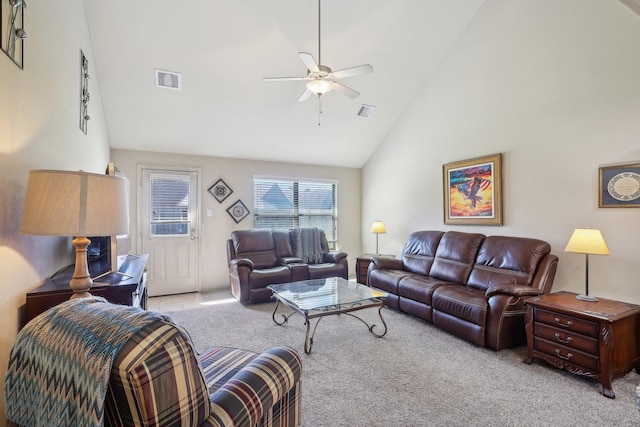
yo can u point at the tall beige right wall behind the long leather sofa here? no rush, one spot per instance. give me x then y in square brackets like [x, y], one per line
[555, 87]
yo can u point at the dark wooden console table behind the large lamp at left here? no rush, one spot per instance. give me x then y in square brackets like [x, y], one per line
[128, 286]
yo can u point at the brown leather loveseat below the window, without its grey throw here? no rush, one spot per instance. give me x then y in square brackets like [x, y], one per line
[258, 258]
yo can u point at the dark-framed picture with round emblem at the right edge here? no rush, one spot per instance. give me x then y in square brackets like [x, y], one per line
[619, 186]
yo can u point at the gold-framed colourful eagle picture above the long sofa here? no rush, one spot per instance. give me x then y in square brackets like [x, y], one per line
[473, 191]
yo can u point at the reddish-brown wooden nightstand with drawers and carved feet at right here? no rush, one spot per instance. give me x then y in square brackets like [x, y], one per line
[595, 339]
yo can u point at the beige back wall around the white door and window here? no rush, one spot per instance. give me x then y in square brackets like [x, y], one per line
[238, 174]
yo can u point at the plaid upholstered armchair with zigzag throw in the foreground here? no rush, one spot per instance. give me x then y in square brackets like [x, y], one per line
[122, 366]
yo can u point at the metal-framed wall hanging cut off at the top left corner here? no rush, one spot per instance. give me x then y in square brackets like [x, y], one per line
[12, 33]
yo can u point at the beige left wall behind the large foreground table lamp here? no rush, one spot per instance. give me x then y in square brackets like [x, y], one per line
[39, 129]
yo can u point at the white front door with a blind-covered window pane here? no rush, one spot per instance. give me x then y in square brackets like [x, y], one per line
[169, 224]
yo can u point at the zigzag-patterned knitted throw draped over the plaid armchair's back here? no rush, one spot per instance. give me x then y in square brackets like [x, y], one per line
[60, 364]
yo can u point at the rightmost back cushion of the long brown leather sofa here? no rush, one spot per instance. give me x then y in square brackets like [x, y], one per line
[511, 260]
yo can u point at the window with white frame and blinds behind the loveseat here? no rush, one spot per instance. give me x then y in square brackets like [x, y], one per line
[290, 203]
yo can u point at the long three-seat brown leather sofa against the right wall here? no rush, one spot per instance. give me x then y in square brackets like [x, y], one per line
[467, 284]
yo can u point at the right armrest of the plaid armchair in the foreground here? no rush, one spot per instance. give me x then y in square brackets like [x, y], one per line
[258, 386]
